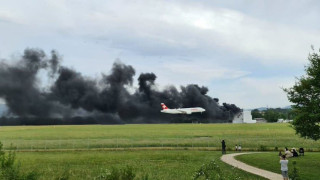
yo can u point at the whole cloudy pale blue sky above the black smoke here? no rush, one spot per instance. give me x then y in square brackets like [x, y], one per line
[244, 51]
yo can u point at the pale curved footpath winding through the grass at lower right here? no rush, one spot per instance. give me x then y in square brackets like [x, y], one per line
[229, 159]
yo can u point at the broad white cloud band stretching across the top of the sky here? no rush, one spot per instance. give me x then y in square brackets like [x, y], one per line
[163, 27]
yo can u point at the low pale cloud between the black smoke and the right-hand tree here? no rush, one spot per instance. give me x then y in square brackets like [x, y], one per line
[250, 92]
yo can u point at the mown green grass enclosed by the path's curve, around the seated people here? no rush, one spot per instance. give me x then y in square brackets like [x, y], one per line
[308, 165]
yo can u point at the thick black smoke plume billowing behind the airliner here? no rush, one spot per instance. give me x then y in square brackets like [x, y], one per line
[75, 99]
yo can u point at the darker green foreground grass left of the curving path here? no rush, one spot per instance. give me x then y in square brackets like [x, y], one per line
[164, 164]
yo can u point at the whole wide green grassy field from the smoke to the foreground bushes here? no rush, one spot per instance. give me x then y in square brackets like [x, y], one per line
[163, 151]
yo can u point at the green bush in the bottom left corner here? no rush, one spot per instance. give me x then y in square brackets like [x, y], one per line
[9, 170]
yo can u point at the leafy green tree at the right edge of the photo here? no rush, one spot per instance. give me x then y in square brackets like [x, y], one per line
[305, 95]
